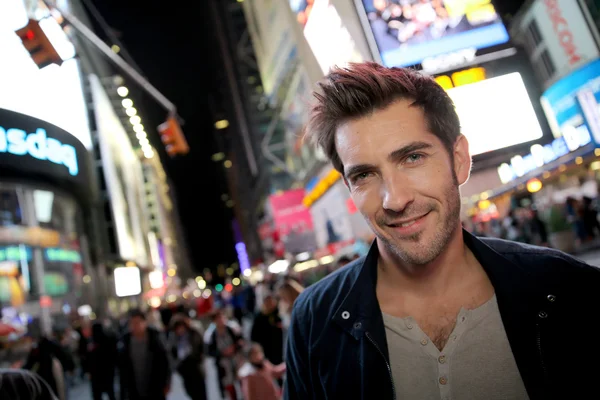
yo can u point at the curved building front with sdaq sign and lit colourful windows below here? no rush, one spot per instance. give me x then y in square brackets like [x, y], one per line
[44, 188]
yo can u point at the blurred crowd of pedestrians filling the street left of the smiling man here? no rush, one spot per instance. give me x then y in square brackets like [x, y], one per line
[135, 357]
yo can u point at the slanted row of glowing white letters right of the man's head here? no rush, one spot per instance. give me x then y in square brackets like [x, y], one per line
[571, 140]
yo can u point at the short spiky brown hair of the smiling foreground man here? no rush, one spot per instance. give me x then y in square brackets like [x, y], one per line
[359, 89]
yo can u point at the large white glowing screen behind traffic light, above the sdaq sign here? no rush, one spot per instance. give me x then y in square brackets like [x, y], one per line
[53, 94]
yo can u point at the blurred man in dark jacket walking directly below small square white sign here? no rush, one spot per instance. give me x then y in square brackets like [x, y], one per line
[144, 364]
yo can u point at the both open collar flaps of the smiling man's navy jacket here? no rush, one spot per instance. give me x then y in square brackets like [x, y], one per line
[516, 289]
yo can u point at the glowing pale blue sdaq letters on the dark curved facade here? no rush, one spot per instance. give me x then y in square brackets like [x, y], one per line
[37, 145]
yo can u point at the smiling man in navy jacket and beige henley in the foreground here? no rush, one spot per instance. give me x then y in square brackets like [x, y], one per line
[431, 312]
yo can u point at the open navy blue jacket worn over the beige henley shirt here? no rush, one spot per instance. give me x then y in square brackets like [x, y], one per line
[548, 302]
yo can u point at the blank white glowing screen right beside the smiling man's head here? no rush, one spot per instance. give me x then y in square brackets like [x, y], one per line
[478, 106]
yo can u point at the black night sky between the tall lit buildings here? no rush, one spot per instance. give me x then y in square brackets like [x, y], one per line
[168, 40]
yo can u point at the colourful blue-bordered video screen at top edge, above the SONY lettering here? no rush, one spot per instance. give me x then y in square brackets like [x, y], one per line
[409, 31]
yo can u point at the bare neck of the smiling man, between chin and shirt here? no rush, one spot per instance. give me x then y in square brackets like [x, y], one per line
[432, 279]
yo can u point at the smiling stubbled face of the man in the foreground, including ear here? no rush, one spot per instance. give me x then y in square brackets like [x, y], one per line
[403, 180]
